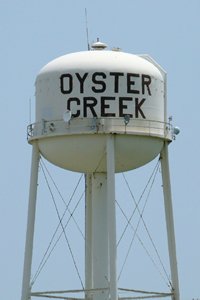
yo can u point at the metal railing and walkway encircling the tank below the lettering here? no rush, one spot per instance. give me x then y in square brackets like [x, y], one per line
[125, 125]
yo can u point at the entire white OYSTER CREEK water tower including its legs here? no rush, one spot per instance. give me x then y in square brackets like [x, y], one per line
[100, 112]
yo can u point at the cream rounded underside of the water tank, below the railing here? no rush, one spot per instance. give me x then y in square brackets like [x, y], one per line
[130, 153]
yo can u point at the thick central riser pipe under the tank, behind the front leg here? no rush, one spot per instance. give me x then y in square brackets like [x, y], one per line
[100, 258]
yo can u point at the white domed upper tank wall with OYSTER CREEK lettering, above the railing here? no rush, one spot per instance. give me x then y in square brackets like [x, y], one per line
[68, 80]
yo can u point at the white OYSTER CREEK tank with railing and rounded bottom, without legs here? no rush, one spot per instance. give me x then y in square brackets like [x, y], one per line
[82, 97]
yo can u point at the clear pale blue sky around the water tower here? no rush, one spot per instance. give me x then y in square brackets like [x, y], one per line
[32, 34]
